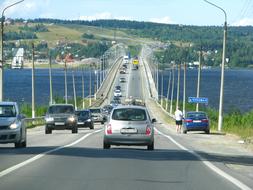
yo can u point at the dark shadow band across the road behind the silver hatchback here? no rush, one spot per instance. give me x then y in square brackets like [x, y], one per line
[131, 153]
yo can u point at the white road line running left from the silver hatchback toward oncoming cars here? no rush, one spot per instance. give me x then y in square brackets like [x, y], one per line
[20, 165]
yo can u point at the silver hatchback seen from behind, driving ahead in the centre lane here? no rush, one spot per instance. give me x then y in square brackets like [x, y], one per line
[129, 125]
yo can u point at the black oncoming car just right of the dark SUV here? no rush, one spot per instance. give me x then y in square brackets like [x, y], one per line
[84, 119]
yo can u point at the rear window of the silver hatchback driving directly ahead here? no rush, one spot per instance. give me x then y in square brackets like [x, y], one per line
[129, 114]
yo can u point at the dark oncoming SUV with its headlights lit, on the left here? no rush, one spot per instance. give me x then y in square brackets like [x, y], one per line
[61, 117]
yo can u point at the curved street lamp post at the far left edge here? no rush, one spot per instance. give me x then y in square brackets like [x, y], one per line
[2, 48]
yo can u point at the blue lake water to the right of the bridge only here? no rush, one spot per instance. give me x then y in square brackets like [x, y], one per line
[238, 87]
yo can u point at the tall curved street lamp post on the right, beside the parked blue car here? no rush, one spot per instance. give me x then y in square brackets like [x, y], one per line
[222, 66]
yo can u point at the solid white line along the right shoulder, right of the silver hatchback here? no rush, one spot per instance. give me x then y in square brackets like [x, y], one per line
[208, 164]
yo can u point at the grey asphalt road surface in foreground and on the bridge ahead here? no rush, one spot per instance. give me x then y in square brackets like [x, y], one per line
[65, 161]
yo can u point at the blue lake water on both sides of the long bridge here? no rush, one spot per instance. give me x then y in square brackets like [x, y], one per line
[238, 86]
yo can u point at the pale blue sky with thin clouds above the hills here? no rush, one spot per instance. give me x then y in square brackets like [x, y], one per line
[186, 12]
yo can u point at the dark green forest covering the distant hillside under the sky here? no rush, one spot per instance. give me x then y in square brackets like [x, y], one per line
[239, 39]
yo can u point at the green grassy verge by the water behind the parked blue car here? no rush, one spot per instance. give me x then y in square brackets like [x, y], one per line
[234, 122]
